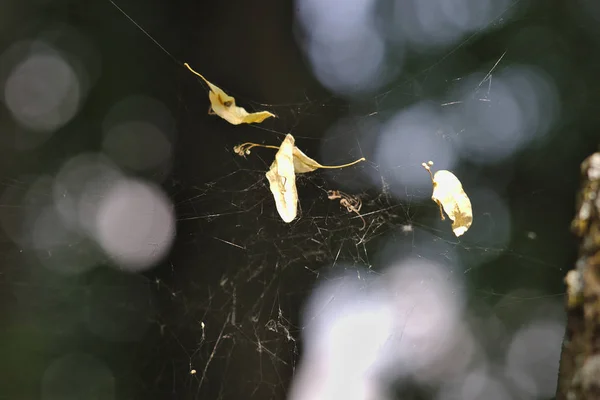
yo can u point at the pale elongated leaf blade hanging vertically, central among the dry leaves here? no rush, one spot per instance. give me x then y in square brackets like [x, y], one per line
[282, 181]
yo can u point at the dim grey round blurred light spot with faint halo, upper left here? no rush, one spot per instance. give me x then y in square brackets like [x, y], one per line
[44, 82]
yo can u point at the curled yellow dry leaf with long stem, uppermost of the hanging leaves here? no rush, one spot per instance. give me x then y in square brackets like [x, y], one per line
[224, 106]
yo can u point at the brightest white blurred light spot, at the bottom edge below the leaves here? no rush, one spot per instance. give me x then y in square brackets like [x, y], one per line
[345, 331]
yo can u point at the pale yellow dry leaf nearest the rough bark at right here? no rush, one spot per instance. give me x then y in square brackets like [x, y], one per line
[449, 195]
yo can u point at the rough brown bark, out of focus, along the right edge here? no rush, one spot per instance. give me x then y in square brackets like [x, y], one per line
[579, 373]
